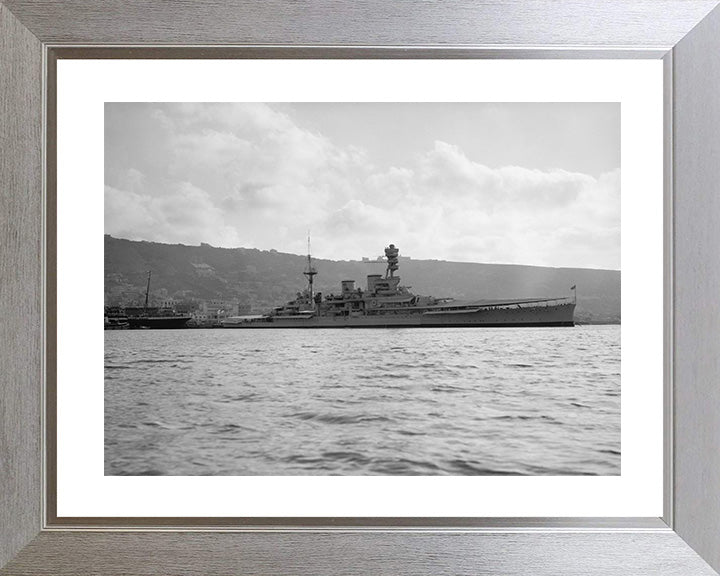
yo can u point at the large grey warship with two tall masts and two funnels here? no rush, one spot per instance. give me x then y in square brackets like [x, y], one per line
[385, 303]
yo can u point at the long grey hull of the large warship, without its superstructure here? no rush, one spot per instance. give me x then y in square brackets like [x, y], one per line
[505, 317]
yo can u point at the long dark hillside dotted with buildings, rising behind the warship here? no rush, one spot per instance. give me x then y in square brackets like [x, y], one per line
[261, 279]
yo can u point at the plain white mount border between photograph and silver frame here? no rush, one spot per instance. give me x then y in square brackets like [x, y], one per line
[83, 88]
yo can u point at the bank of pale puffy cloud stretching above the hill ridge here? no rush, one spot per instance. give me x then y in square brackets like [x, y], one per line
[251, 175]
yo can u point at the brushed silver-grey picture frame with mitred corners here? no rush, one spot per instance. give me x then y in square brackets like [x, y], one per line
[684, 34]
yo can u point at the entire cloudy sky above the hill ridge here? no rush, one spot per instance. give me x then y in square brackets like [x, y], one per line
[515, 183]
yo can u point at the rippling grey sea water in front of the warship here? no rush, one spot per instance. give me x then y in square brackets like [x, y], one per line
[412, 401]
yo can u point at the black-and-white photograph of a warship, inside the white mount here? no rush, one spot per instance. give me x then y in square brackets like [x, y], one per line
[362, 289]
